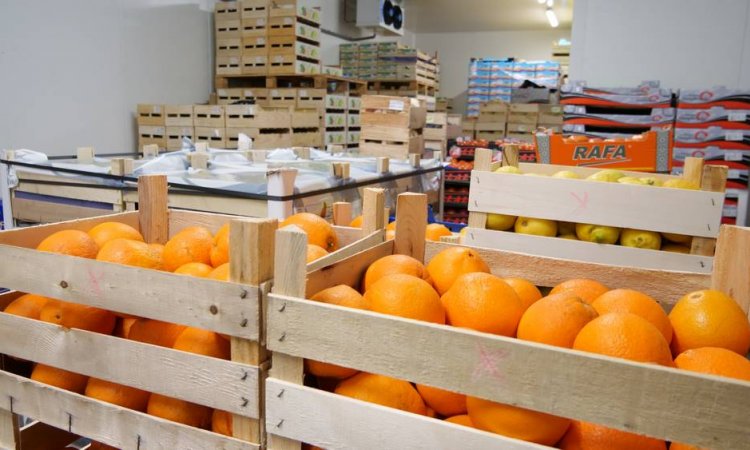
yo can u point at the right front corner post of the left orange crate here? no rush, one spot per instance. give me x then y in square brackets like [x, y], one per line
[251, 262]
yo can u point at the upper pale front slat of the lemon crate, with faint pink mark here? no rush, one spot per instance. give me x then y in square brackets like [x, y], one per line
[694, 213]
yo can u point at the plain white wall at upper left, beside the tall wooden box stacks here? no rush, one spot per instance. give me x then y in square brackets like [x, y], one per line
[71, 72]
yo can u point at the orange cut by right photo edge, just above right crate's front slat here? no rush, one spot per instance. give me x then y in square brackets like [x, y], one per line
[714, 361]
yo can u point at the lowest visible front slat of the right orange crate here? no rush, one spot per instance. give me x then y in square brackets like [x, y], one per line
[338, 423]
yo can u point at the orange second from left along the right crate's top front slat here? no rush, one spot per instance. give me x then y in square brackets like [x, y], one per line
[406, 296]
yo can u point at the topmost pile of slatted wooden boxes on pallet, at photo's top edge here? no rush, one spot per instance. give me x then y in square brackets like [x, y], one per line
[258, 37]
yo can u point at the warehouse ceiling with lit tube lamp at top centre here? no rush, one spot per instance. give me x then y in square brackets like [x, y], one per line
[449, 16]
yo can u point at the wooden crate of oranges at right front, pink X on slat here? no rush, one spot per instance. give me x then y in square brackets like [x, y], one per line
[662, 402]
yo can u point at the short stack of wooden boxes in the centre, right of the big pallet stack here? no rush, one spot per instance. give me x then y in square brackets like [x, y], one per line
[391, 126]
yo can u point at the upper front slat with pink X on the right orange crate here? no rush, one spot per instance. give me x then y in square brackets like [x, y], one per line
[545, 378]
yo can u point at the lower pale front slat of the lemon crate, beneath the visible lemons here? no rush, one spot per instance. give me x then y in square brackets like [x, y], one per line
[614, 255]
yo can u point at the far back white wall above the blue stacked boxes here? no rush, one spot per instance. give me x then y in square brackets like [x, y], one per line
[456, 49]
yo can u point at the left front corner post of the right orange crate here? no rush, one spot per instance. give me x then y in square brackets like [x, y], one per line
[290, 267]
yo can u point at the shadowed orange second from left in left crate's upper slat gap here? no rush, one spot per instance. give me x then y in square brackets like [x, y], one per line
[83, 317]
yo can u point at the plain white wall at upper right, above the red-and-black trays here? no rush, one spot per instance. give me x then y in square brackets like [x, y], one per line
[683, 43]
